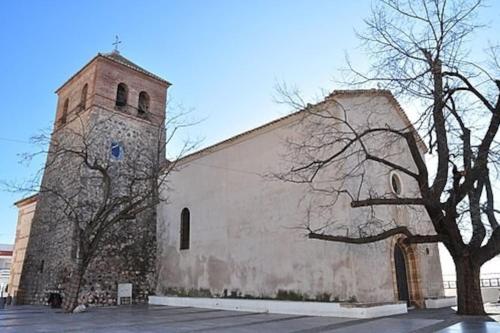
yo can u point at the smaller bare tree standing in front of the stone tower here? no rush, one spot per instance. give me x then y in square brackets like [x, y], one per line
[98, 192]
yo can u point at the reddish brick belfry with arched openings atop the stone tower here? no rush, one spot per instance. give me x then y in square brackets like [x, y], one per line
[114, 83]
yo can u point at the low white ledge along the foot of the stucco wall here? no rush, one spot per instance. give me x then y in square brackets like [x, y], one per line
[345, 310]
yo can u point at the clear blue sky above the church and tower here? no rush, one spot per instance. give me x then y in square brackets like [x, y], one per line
[223, 58]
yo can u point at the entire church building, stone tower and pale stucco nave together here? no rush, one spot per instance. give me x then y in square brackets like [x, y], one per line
[228, 226]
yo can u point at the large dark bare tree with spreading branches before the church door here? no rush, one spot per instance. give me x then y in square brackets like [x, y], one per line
[418, 51]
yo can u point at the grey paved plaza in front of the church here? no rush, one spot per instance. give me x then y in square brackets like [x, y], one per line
[144, 318]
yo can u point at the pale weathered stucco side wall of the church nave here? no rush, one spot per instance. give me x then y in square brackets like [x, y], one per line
[246, 229]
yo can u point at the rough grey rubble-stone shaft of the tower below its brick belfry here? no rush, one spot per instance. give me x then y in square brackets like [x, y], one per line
[127, 254]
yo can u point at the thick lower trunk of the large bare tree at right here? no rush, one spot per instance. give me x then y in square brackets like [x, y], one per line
[470, 300]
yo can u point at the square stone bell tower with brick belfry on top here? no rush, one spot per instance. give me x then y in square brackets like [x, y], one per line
[114, 111]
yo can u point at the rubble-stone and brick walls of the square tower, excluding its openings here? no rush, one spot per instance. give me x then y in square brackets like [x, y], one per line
[129, 248]
